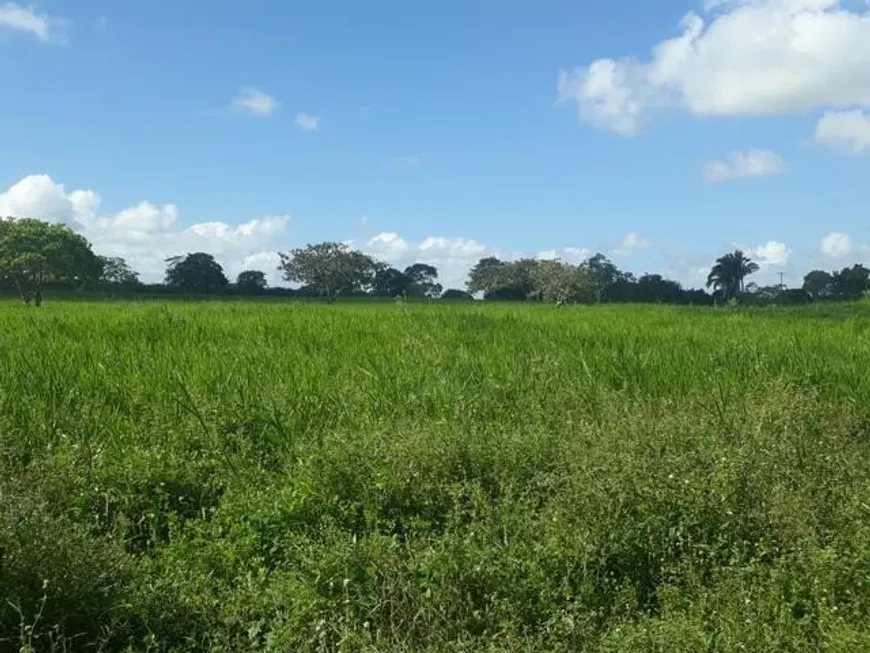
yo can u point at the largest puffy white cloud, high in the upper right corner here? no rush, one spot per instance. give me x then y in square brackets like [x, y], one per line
[738, 58]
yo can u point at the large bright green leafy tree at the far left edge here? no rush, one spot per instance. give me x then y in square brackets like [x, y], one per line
[33, 252]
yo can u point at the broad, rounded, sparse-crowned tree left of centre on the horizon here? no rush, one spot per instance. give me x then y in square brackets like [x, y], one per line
[331, 269]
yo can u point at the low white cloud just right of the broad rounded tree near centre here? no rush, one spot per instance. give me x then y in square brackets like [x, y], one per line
[452, 256]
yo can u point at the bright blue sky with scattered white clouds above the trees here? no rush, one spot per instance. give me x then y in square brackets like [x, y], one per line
[660, 133]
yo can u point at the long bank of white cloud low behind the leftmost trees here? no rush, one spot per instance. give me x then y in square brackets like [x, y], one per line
[146, 234]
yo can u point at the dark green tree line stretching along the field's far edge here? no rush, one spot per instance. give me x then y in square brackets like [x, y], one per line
[36, 254]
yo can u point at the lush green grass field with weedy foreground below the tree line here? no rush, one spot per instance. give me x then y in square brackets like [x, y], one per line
[282, 477]
